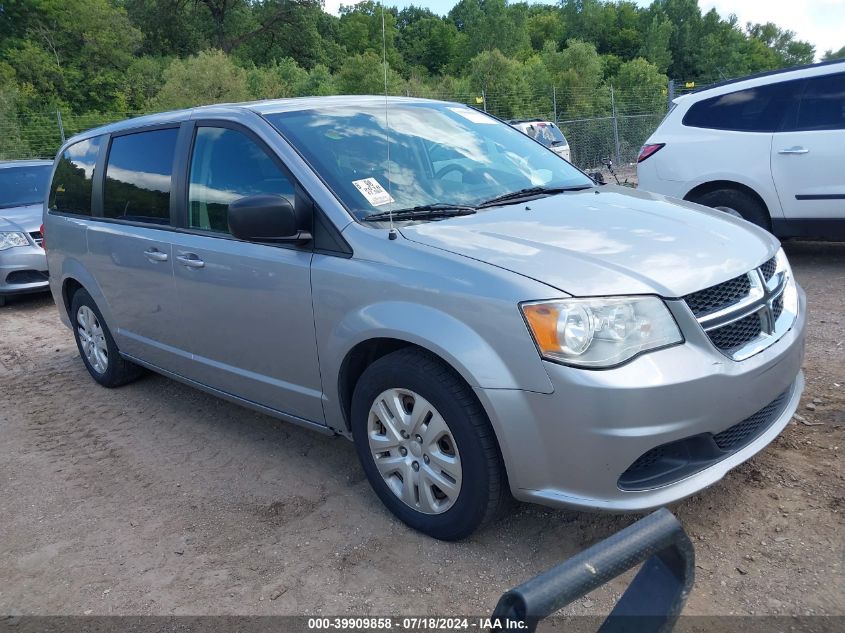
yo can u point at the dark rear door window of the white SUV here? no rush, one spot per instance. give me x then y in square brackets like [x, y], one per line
[758, 109]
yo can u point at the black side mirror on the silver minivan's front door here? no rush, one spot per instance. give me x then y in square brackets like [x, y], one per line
[265, 218]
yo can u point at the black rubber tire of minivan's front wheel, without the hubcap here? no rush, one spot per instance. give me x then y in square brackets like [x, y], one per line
[484, 492]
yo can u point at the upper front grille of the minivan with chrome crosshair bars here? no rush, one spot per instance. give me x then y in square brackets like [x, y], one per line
[745, 325]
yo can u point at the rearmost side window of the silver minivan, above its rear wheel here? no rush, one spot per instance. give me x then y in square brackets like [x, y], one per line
[70, 191]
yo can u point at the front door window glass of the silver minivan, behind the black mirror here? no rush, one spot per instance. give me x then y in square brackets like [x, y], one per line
[227, 165]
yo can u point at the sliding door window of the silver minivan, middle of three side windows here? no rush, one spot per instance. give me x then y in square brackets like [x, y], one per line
[137, 186]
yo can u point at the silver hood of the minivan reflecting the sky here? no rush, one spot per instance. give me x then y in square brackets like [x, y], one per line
[606, 241]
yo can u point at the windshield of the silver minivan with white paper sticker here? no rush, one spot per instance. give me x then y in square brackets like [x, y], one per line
[439, 154]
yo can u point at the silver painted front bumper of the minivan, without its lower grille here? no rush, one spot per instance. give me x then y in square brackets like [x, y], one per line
[570, 448]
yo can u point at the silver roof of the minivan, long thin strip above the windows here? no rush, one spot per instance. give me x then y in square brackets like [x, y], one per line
[268, 106]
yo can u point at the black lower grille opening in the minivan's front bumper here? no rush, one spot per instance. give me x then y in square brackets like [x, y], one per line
[671, 462]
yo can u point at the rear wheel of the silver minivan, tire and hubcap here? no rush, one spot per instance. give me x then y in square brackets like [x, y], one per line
[96, 345]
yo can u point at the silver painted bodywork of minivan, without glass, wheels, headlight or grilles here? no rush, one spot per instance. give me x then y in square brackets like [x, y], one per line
[271, 326]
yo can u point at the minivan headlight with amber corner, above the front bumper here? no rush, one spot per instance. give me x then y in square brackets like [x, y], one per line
[602, 331]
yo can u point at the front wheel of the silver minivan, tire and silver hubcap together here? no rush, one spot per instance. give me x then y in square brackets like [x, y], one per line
[427, 446]
